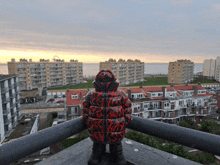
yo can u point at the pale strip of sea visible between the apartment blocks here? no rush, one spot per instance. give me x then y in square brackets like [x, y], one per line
[91, 69]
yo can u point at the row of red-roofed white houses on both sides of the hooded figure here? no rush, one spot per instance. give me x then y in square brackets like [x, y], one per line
[170, 104]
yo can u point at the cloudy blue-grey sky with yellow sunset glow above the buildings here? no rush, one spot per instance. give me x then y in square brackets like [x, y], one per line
[92, 31]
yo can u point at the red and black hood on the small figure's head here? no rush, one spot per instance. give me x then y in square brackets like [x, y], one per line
[105, 81]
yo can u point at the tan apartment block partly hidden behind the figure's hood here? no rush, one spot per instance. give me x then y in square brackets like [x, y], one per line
[126, 72]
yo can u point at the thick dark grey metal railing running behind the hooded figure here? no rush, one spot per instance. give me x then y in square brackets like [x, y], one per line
[34, 142]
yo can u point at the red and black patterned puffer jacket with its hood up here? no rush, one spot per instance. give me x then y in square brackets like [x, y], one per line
[106, 110]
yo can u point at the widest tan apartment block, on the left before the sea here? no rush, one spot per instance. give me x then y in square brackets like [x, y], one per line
[45, 73]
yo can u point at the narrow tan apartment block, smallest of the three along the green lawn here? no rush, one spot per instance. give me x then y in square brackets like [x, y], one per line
[180, 72]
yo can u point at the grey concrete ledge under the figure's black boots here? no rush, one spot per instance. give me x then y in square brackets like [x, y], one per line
[135, 153]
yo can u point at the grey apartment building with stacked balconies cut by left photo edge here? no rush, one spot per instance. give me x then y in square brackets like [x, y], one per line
[10, 111]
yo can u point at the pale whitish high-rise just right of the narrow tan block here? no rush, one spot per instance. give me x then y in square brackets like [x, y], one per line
[209, 68]
